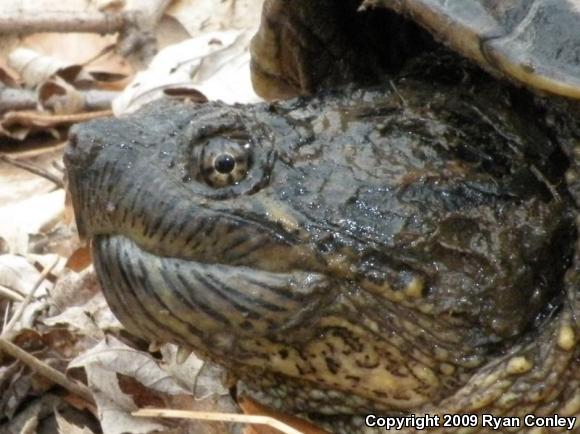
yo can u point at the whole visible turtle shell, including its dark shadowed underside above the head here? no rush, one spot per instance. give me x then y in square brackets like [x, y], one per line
[305, 45]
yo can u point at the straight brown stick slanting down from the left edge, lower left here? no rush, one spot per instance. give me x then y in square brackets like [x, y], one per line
[46, 370]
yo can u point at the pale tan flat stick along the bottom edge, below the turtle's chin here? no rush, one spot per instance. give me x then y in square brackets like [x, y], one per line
[217, 417]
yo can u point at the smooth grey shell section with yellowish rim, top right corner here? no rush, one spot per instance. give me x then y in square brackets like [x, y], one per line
[533, 42]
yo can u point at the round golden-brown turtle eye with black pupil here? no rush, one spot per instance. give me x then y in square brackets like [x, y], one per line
[225, 162]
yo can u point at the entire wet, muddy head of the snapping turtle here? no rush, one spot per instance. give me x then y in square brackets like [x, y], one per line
[324, 248]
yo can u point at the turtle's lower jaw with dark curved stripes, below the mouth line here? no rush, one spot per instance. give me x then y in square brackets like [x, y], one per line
[201, 305]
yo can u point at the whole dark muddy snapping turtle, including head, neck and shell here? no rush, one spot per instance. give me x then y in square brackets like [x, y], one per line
[407, 247]
